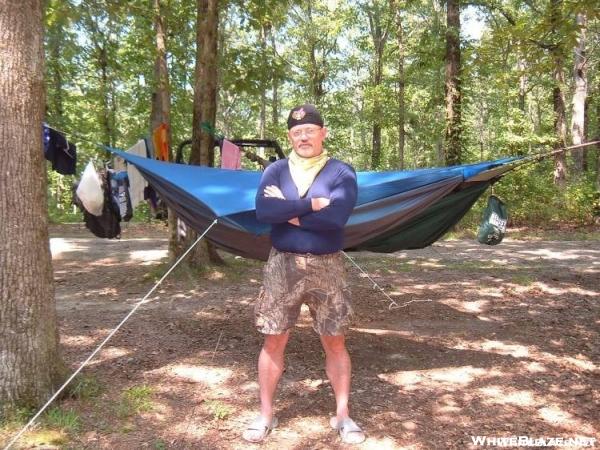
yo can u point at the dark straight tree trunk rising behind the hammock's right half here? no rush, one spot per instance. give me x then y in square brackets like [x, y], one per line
[453, 89]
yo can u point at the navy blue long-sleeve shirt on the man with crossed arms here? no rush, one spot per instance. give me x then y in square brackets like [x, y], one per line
[320, 232]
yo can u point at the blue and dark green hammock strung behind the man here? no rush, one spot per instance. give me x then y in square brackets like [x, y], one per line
[395, 210]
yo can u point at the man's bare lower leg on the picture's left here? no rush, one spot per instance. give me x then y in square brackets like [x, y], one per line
[270, 368]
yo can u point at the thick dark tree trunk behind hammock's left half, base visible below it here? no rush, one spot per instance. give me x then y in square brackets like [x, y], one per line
[205, 107]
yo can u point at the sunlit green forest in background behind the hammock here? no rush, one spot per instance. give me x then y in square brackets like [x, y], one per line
[378, 70]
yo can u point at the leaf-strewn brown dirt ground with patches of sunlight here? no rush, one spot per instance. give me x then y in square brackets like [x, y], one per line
[498, 341]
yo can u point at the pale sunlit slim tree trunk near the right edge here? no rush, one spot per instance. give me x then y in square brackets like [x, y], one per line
[579, 97]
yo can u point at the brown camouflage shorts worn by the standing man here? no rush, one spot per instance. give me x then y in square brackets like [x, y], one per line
[292, 279]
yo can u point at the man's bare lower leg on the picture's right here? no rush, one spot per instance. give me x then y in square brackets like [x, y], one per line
[338, 368]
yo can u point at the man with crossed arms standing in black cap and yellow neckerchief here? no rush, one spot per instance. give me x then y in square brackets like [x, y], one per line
[307, 198]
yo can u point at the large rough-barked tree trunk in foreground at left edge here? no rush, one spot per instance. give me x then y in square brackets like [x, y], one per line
[30, 363]
